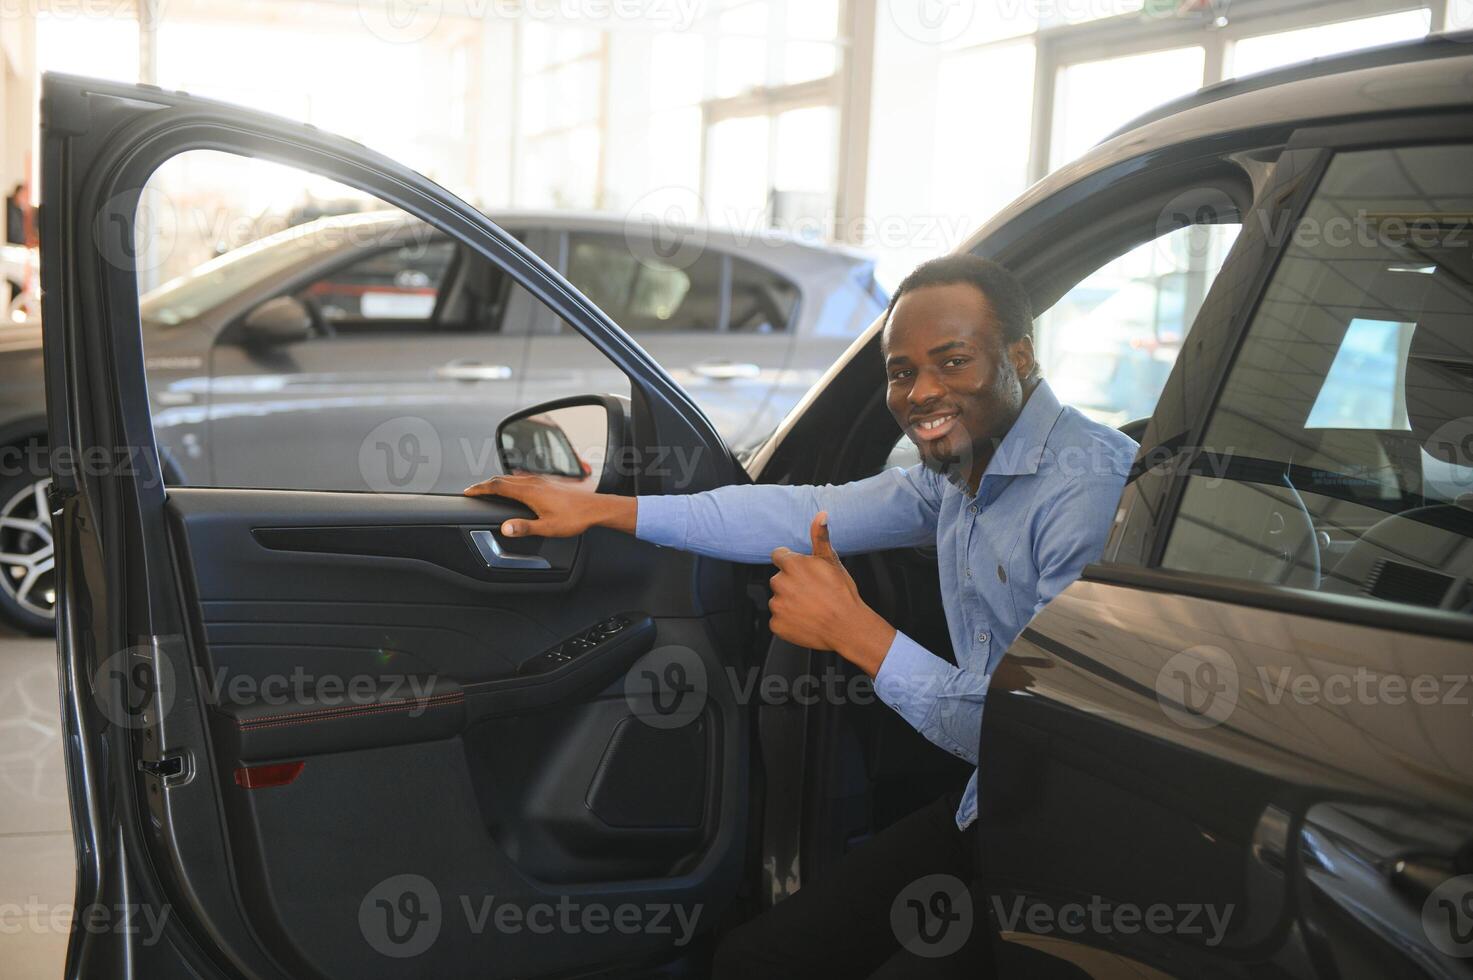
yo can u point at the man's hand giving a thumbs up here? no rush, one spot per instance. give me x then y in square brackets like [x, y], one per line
[817, 605]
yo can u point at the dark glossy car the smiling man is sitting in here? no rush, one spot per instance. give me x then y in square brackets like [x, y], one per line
[1164, 795]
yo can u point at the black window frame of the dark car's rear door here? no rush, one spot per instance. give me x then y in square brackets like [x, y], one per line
[1157, 484]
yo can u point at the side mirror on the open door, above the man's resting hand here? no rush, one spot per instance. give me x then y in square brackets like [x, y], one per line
[577, 440]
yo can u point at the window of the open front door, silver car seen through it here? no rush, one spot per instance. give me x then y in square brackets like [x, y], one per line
[357, 350]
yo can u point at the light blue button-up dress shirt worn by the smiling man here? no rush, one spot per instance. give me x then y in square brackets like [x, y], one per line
[1041, 515]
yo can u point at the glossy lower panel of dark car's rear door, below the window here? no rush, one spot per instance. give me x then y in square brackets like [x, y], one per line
[1242, 808]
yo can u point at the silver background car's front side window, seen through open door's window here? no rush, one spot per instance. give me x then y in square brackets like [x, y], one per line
[398, 285]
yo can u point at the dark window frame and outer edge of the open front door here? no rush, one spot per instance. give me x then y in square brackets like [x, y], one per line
[116, 559]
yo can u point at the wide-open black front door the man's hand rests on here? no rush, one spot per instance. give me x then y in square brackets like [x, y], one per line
[319, 735]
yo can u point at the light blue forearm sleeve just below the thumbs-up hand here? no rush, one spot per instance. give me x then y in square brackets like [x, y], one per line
[941, 701]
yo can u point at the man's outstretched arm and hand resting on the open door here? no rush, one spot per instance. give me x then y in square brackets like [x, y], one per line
[739, 524]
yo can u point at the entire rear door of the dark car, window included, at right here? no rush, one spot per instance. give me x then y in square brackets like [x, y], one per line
[1201, 739]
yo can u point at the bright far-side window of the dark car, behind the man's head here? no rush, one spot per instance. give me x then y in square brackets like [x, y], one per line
[1108, 346]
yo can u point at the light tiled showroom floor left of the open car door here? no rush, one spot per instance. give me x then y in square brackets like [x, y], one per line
[36, 839]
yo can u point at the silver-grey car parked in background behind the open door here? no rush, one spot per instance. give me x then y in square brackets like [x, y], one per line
[319, 349]
